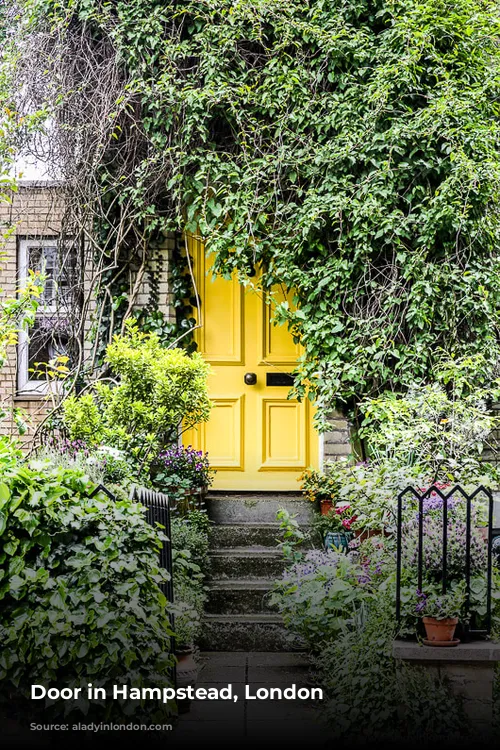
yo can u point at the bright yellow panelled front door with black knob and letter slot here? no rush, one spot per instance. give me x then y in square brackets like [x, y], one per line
[256, 438]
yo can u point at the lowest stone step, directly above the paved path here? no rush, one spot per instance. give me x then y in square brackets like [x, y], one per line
[258, 632]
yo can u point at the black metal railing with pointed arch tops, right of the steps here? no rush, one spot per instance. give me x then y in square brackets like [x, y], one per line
[410, 493]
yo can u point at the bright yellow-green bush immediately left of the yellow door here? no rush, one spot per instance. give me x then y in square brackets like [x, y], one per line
[159, 392]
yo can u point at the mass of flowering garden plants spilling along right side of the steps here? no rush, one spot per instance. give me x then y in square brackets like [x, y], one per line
[342, 604]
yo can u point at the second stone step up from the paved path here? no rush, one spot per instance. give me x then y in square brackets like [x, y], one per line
[239, 596]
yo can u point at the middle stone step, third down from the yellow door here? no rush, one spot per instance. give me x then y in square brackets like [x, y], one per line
[246, 562]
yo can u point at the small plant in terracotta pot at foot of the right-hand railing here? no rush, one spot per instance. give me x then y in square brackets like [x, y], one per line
[440, 613]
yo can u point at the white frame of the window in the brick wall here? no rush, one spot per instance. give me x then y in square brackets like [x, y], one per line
[26, 386]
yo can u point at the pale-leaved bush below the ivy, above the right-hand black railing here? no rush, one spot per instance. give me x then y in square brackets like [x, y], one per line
[441, 427]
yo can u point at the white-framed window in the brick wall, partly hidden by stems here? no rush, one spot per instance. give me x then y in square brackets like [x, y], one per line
[49, 336]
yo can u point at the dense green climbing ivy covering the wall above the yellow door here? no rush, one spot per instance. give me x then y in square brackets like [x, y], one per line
[350, 148]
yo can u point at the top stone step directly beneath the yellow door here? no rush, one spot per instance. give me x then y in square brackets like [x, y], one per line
[257, 509]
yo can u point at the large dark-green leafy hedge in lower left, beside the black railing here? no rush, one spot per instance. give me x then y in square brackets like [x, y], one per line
[79, 595]
